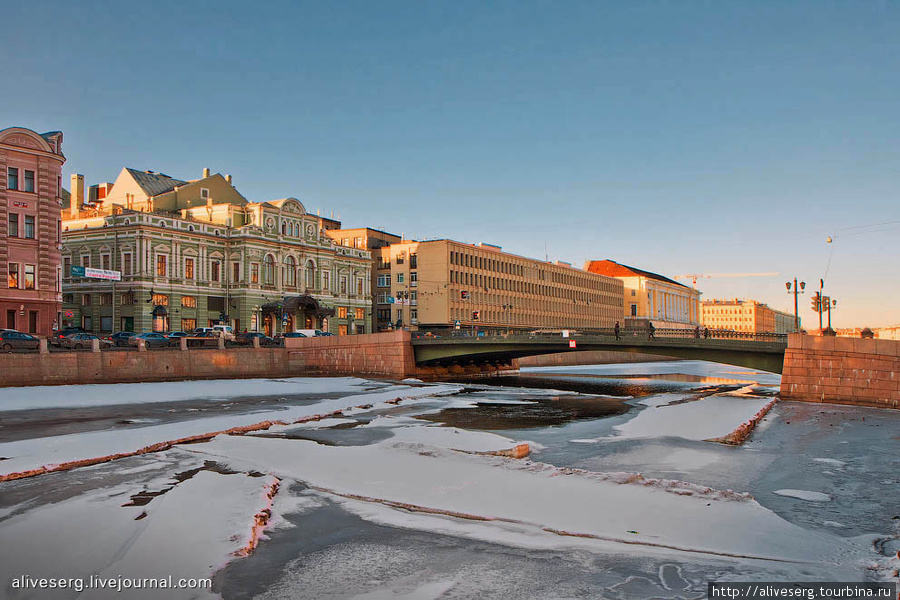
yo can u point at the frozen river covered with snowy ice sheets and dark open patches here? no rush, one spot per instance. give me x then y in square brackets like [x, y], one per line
[399, 494]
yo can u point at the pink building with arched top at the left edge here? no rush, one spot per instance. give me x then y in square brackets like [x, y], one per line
[30, 205]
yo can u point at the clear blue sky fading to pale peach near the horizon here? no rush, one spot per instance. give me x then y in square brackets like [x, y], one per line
[676, 137]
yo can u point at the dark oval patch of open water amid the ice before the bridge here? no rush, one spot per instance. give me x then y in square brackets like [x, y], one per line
[542, 411]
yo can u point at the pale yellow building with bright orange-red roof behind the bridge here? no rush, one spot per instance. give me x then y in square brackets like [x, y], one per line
[652, 297]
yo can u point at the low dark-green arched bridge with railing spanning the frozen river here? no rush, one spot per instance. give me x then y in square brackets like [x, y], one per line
[756, 351]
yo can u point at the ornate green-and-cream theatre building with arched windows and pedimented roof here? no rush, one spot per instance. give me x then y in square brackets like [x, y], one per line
[196, 253]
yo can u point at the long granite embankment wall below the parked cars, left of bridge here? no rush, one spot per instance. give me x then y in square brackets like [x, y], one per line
[387, 355]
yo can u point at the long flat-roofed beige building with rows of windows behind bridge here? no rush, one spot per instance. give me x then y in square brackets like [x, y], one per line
[444, 284]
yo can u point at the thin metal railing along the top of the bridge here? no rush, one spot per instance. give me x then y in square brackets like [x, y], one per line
[608, 334]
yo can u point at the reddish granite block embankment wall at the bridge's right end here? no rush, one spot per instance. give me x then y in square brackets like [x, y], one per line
[855, 371]
